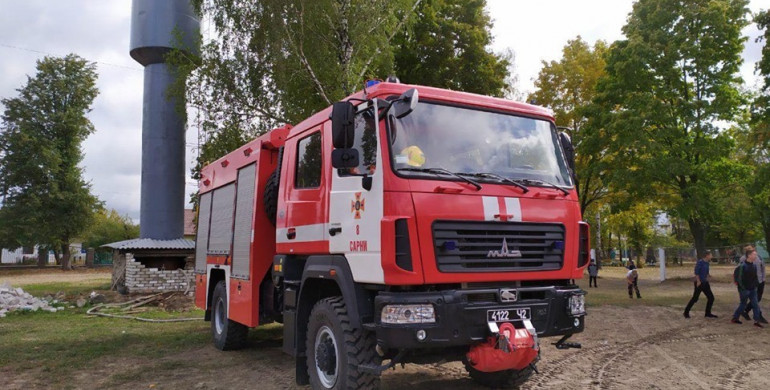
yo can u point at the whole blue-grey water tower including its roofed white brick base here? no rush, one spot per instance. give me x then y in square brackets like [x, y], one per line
[160, 252]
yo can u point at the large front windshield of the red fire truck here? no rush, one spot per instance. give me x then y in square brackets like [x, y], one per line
[478, 143]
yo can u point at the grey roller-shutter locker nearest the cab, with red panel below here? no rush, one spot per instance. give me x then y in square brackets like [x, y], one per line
[244, 302]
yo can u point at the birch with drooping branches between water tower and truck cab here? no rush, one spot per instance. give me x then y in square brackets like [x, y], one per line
[277, 61]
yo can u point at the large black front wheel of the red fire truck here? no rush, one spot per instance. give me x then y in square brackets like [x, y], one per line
[335, 350]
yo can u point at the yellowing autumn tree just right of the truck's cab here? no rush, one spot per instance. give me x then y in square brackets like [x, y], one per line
[568, 87]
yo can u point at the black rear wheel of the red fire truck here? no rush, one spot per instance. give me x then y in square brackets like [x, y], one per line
[228, 334]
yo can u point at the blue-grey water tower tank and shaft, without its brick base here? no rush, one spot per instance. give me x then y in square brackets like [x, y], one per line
[157, 27]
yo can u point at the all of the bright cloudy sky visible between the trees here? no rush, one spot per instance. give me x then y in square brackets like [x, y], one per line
[98, 30]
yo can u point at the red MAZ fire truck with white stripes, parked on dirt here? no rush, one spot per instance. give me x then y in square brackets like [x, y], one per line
[404, 224]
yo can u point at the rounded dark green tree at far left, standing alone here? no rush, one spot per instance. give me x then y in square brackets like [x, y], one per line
[45, 199]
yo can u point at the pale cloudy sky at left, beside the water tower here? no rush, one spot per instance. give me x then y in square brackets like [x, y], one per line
[98, 31]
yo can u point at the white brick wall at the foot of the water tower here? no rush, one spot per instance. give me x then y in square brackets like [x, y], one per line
[140, 279]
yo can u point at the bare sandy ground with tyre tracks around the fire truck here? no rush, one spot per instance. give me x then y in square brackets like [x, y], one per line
[629, 346]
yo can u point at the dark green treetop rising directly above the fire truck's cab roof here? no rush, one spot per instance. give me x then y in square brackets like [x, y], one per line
[448, 47]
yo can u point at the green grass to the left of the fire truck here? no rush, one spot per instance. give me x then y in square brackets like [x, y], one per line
[59, 344]
